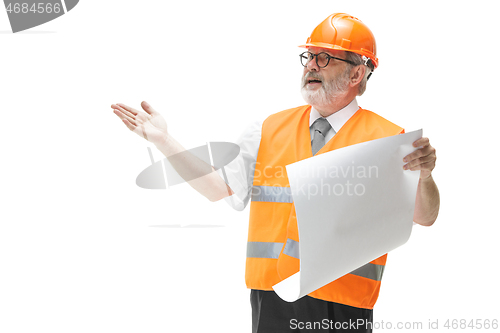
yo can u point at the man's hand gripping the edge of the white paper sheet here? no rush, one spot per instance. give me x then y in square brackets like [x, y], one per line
[423, 159]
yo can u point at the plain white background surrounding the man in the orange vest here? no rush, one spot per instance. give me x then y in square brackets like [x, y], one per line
[83, 249]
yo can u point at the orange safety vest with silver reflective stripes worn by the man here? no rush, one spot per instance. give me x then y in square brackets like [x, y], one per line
[272, 249]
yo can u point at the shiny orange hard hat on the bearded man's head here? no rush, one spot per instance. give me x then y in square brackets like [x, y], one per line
[345, 32]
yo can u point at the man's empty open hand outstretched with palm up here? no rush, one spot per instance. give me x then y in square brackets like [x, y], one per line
[149, 125]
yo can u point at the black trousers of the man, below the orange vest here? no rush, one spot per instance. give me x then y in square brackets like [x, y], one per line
[270, 314]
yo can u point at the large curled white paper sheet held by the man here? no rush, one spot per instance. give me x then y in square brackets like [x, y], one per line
[353, 205]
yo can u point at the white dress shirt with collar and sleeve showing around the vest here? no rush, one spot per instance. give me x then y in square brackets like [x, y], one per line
[241, 170]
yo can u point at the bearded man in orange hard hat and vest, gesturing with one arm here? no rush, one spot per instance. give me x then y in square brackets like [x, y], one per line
[340, 57]
